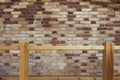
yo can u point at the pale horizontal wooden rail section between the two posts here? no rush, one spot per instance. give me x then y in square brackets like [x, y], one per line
[65, 47]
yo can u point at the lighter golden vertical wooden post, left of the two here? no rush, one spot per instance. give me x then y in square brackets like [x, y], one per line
[24, 61]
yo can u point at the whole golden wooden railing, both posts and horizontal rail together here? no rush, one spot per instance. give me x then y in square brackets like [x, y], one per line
[108, 56]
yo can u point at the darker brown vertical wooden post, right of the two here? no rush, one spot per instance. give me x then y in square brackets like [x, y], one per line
[108, 61]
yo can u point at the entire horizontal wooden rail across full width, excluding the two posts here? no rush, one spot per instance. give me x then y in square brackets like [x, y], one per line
[57, 47]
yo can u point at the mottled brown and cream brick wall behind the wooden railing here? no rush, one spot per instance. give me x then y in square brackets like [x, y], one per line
[58, 23]
